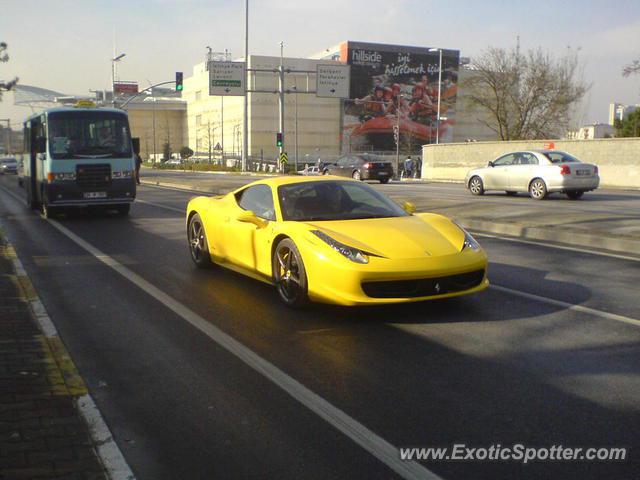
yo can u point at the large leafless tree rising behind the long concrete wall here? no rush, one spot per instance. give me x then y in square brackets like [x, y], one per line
[525, 96]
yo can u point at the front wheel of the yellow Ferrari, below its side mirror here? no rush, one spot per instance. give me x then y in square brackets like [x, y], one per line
[289, 274]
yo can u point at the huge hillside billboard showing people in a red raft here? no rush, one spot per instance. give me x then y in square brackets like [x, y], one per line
[395, 88]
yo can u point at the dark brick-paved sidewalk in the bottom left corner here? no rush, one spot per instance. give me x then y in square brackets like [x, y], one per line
[42, 433]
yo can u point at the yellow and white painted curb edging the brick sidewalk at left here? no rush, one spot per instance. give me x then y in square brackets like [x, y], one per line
[105, 446]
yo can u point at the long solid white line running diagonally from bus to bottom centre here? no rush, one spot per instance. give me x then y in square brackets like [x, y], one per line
[374, 444]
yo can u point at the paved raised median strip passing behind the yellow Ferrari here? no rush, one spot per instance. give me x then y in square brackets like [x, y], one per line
[596, 230]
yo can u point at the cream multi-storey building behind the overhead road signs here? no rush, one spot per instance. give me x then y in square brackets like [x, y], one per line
[312, 124]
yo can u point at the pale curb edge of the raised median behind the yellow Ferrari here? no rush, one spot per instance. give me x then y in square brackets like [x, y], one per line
[549, 234]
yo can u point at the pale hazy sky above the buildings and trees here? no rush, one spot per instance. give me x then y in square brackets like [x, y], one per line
[66, 45]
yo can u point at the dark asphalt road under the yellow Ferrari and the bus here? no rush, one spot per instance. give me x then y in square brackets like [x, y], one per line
[548, 355]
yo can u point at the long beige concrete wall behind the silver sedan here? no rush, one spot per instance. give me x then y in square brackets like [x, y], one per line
[618, 159]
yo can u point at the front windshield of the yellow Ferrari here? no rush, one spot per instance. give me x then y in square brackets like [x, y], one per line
[334, 200]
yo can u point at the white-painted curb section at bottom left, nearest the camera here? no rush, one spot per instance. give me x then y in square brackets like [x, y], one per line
[107, 448]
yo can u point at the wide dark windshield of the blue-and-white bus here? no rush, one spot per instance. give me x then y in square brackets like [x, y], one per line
[93, 134]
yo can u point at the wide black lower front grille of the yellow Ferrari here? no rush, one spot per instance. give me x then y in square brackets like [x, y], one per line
[423, 287]
